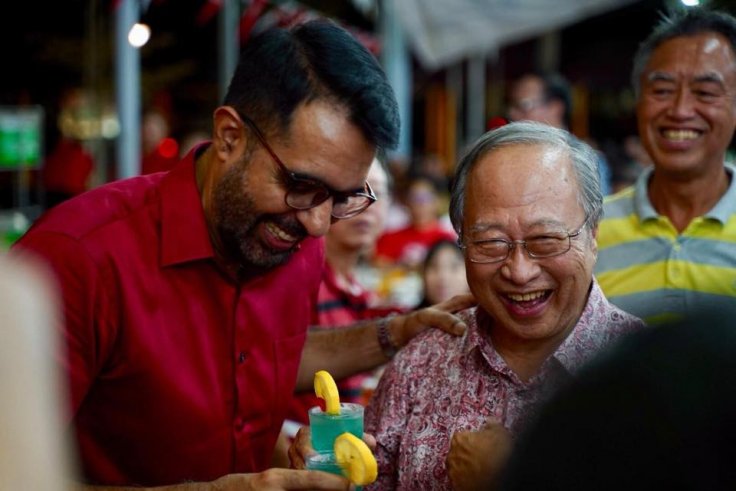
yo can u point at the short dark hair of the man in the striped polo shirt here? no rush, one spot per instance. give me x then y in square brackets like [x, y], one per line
[683, 23]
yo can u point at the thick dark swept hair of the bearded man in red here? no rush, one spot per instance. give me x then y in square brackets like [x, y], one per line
[282, 68]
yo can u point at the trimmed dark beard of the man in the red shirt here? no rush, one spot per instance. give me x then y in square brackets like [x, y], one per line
[237, 219]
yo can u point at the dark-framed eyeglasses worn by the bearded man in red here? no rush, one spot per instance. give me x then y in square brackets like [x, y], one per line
[303, 193]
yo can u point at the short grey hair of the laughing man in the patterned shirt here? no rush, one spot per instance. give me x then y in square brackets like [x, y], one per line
[584, 160]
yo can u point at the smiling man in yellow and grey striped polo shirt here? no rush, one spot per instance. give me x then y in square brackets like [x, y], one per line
[667, 245]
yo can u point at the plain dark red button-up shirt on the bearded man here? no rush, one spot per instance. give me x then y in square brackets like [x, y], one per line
[176, 372]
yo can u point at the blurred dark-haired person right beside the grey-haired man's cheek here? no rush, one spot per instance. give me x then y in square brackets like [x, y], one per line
[443, 273]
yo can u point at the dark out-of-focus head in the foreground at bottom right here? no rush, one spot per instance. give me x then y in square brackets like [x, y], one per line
[656, 412]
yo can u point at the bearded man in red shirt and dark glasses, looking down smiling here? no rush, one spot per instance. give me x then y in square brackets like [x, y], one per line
[187, 294]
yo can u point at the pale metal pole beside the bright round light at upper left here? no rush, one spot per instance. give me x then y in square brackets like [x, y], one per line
[128, 91]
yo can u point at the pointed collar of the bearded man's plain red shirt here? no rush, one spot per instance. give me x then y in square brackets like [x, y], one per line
[184, 233]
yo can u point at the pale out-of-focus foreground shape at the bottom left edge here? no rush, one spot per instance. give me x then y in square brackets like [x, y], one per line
[33, 452]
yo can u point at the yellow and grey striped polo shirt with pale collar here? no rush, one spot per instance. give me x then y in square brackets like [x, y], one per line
[646, 268]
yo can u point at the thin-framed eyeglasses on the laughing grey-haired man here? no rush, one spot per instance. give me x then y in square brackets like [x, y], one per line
[538, 247]
